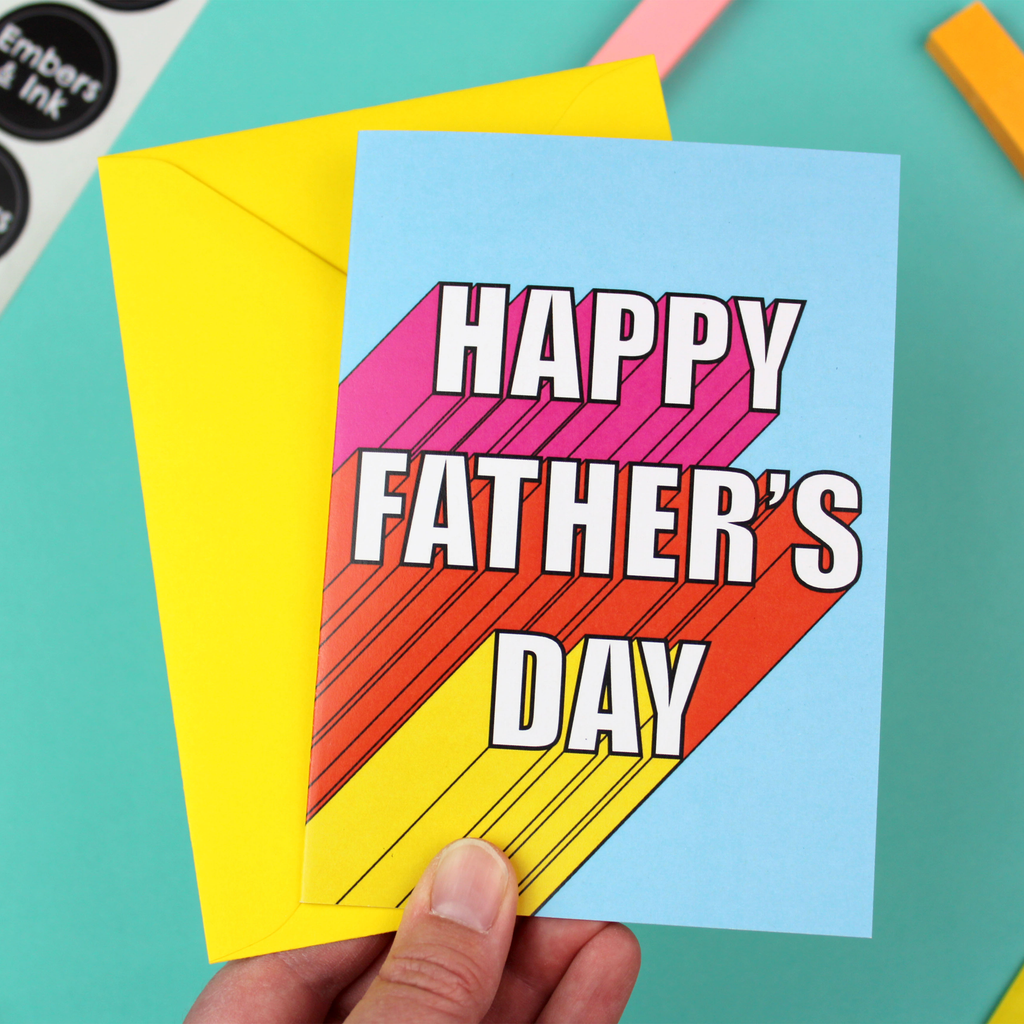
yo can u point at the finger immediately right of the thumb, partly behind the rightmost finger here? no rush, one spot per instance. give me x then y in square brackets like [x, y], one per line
[542, 951]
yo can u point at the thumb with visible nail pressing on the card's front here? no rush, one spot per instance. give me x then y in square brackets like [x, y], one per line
[450, 952]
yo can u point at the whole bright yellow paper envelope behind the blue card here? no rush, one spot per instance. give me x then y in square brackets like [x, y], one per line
[230, 259]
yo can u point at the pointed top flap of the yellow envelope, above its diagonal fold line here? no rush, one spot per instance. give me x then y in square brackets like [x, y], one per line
[298, 178]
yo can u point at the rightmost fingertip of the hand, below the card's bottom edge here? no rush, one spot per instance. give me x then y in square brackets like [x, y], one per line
[599, 983]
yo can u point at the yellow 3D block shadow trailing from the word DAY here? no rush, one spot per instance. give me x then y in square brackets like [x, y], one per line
[437, 780]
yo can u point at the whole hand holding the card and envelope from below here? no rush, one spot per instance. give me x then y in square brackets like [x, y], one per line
[459, 957]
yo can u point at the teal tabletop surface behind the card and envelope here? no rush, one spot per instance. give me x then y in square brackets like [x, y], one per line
[99, 914]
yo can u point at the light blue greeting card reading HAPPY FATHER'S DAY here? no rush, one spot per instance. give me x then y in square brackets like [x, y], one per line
[606, 575]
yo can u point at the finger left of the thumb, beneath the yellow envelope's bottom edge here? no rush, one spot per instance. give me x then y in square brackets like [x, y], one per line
[291, 988]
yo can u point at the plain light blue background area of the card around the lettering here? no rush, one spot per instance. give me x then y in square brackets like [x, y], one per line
[771, 824]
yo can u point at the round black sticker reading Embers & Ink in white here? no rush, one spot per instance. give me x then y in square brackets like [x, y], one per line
[58, 71]
